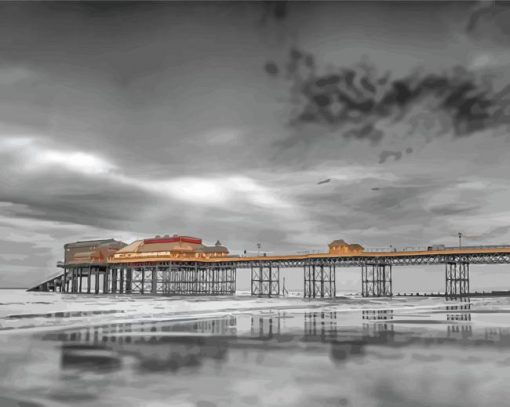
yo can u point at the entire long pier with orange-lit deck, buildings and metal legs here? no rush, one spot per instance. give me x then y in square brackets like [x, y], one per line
[184, 265]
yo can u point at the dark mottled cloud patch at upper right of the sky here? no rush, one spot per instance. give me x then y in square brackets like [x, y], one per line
[354, 100]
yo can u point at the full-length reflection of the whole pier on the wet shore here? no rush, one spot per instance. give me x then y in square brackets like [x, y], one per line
[158, 346]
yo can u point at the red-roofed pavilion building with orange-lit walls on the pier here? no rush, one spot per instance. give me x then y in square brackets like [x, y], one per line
[171, 246]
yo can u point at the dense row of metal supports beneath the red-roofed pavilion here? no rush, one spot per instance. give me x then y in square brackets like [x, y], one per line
[173, 279]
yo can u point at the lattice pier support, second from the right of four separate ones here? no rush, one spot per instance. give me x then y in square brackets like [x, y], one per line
[376, 280]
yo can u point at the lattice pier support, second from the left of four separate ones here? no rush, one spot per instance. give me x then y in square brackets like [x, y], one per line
[320, 280]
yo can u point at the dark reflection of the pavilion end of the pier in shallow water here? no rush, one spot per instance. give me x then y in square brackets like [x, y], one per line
[156, 346]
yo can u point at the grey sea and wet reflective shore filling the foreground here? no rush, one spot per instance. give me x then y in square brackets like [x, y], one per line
[132, 351]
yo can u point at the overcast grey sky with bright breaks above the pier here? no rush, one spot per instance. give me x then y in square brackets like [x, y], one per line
[218, 120]
